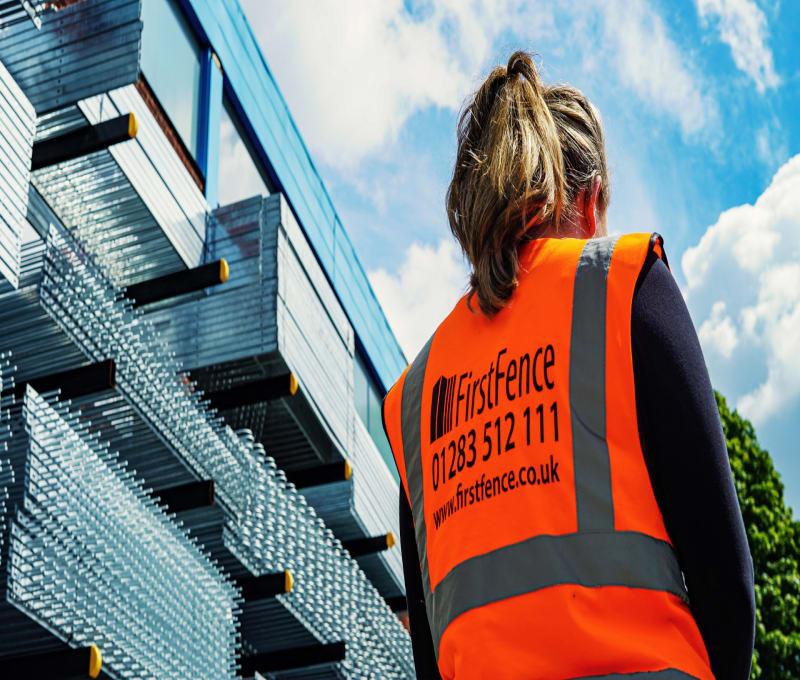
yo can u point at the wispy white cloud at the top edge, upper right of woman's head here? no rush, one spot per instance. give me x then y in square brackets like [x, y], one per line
[650, 63]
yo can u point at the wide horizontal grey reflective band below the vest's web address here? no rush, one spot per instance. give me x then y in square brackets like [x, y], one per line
[618, 558]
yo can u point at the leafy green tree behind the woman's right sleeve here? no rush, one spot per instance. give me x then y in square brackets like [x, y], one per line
[774, 538]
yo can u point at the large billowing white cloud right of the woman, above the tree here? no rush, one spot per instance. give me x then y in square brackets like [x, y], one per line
[744, 284]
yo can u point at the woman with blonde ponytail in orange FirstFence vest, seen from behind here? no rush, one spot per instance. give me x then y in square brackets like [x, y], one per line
[567, 507]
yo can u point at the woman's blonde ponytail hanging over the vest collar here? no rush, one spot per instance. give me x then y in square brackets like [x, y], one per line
[508, 177]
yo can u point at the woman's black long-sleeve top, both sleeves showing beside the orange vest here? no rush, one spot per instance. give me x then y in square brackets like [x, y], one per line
[686, 457]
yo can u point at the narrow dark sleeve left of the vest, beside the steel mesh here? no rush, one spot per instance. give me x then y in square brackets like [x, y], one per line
[421, 638]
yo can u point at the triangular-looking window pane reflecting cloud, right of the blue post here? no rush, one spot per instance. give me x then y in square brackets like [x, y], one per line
[239, 173]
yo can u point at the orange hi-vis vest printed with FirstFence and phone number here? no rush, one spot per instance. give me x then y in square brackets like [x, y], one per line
[542, 549]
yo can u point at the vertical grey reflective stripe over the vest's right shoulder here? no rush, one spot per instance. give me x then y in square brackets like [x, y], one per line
[587, 388]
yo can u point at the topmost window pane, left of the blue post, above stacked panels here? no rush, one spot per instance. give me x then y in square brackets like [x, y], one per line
[171, 65]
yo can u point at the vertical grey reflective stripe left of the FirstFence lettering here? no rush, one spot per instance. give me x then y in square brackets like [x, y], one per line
[410, 416]
